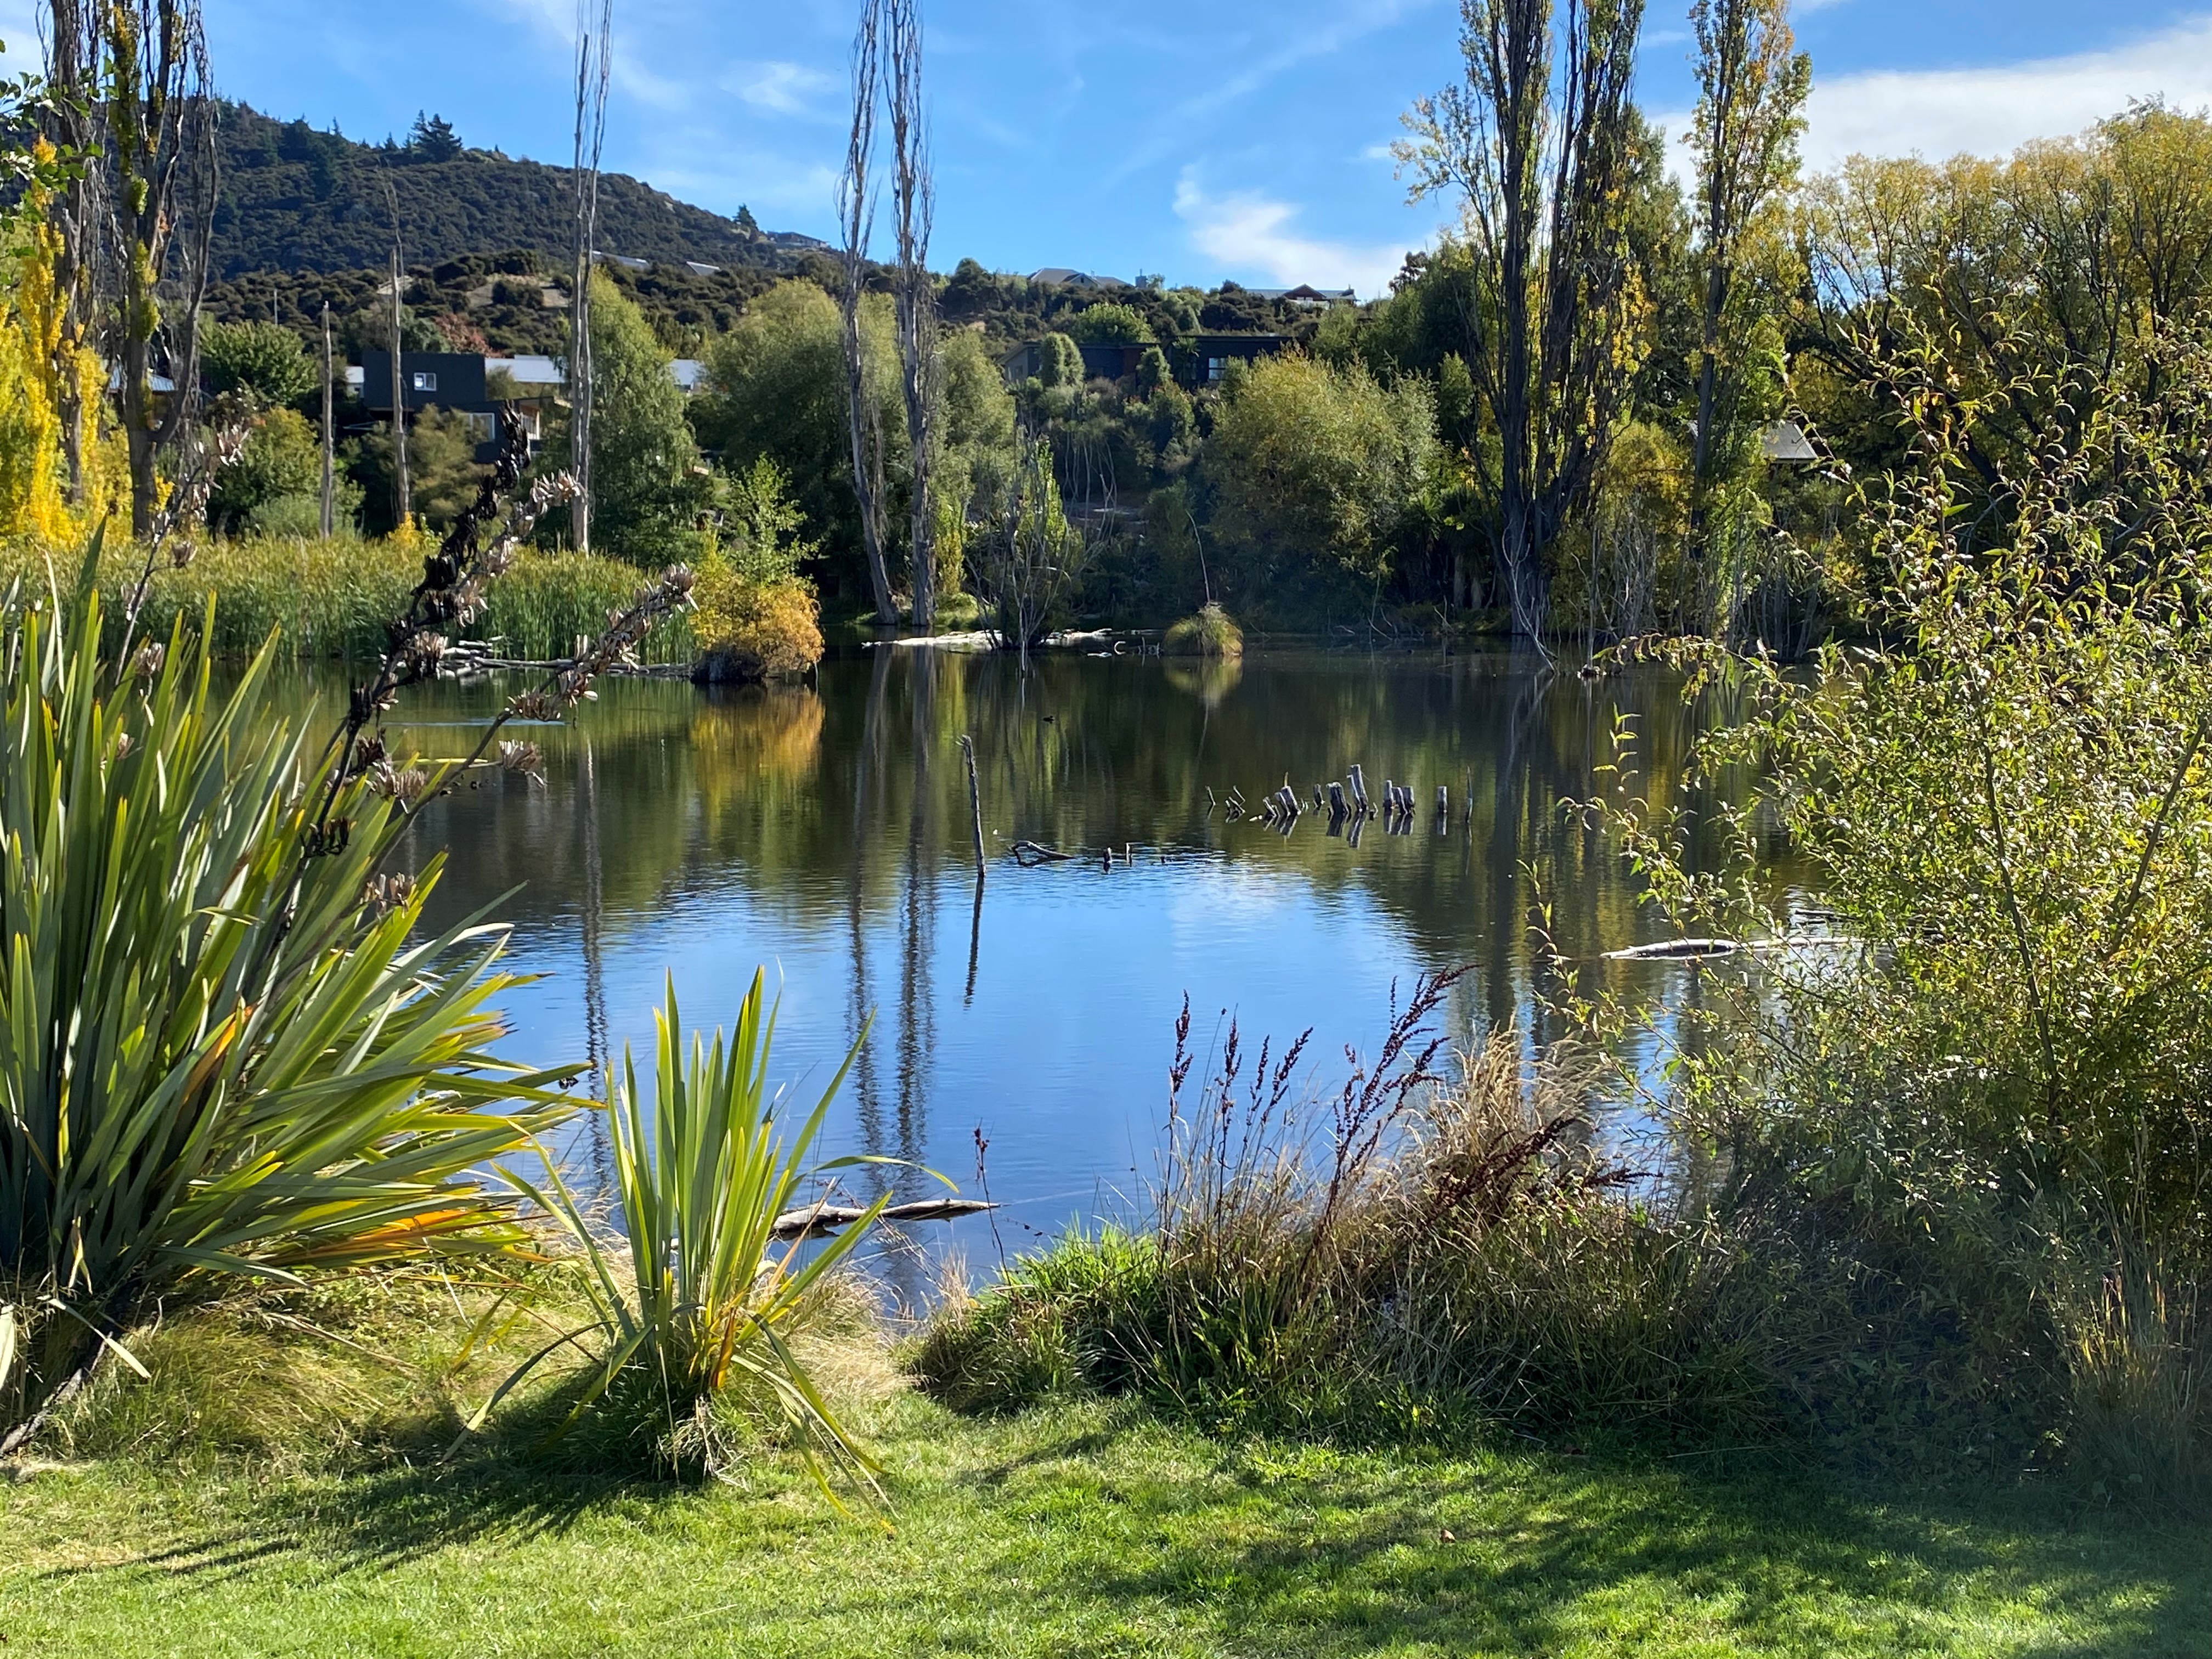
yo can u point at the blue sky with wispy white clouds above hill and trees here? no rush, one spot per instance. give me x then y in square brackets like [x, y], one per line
[1200, 140]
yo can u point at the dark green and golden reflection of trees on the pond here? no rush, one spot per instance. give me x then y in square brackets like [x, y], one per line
[846, 808]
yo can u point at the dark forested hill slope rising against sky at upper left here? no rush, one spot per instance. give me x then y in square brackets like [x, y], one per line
[300, 200]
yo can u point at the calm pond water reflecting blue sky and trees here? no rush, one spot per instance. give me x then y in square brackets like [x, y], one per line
[824, 835]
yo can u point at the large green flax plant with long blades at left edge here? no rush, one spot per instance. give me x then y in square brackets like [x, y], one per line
[209, 1061]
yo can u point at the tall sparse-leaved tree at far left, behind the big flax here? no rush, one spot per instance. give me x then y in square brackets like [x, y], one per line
[138, 101]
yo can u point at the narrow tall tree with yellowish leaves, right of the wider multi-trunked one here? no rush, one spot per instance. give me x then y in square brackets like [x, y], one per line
[1749, 118]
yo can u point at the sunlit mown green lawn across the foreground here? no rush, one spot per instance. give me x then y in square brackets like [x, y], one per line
[1076, 1532]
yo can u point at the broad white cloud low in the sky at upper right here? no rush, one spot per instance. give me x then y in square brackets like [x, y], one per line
[1996, 107]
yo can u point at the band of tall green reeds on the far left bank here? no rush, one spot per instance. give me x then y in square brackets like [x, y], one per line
[335, 598]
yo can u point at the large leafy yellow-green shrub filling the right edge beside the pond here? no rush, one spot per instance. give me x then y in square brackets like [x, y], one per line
[1979, 1116]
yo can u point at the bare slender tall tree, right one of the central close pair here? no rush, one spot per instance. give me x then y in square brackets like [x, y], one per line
[915, 196]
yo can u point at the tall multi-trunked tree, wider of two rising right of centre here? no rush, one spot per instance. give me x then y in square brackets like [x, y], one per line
[1538, 143]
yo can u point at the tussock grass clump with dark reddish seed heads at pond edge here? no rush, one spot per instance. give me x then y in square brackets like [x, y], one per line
[1421, 1251]
